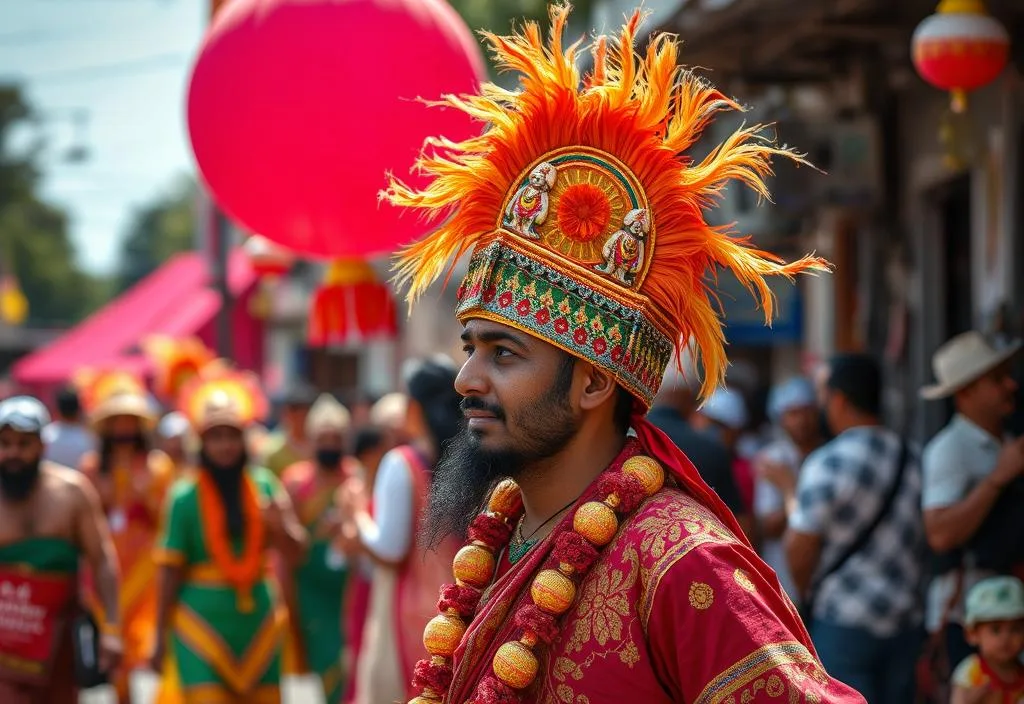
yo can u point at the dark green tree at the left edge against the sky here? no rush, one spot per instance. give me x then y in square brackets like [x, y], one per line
[34, 241]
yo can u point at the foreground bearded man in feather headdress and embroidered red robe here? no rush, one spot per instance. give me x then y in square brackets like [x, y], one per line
[607, 571]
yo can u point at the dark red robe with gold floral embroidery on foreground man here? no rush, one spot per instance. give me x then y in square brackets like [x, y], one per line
[677, 609]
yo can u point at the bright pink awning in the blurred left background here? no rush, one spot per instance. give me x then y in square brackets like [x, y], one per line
[177, 300]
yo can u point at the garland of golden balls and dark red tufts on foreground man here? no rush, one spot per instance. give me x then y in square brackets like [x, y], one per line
[553, 591]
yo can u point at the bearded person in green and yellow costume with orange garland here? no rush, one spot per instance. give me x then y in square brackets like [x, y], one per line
[221, 621]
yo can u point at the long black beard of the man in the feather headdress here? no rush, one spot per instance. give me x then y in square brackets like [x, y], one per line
[466, 473]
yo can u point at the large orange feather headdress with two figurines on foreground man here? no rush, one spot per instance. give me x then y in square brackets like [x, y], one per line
[584, 212]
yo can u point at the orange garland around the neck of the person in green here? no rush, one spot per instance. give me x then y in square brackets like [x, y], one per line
[243, 571]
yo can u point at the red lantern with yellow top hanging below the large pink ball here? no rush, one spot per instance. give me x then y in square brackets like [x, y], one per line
[352, 307]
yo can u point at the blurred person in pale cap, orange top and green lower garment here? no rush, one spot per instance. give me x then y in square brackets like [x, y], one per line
[321, 581]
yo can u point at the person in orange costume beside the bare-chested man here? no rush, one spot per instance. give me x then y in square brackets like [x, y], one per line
[133, 480]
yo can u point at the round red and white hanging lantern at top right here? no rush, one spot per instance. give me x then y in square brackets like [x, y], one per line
[961, 49]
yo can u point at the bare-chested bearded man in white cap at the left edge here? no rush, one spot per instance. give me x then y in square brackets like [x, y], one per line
[50, 519]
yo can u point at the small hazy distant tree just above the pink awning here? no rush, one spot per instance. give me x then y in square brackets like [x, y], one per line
[158, 231]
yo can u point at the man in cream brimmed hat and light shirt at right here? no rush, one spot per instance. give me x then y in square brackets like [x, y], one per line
[967, 469]
